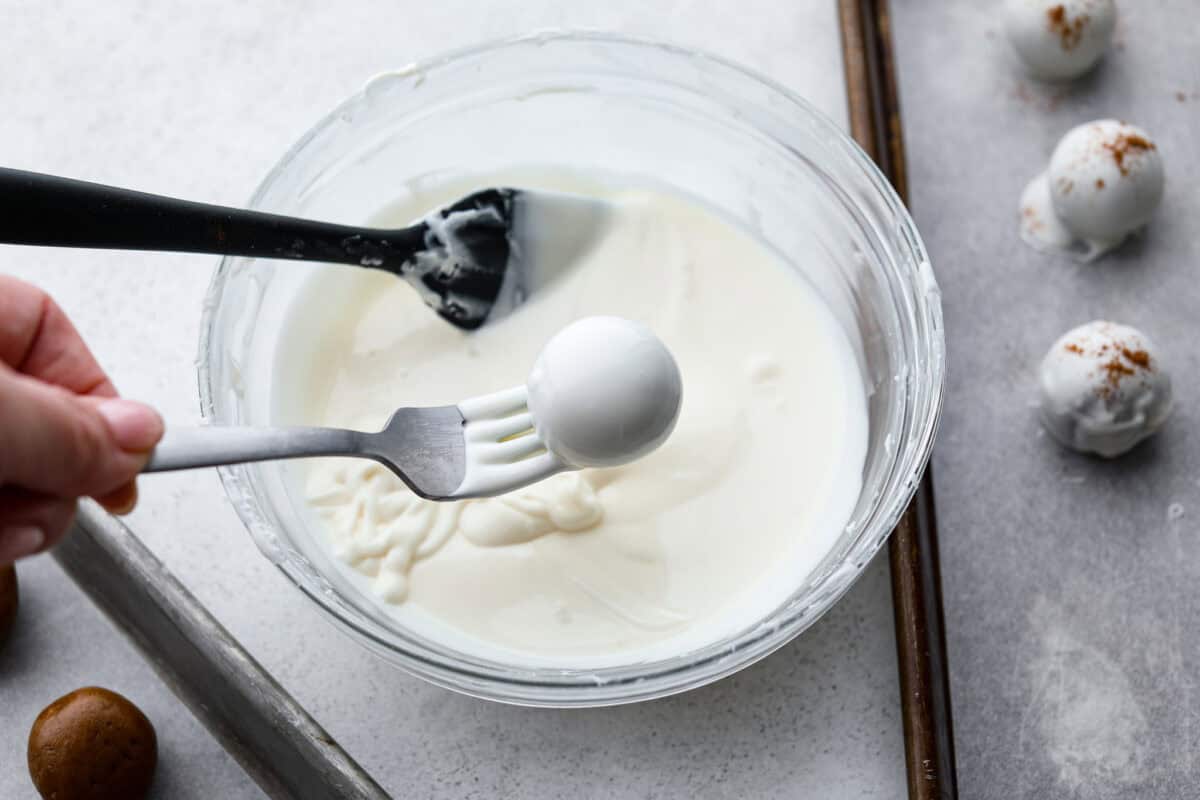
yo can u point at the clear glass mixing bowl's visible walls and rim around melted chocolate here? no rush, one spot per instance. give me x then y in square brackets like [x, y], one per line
[698, 123]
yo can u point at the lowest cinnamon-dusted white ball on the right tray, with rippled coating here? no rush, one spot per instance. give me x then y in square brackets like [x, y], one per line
[1105, 389]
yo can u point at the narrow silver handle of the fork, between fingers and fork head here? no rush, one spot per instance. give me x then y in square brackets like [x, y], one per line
[214, 447]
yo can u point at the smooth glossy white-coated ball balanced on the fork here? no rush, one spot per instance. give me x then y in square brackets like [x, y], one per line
[604, 392]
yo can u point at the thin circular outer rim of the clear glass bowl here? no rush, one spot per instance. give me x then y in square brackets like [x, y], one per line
[619, 685]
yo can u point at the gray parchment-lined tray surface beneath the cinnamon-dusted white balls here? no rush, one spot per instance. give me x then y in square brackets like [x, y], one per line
[1071, 584]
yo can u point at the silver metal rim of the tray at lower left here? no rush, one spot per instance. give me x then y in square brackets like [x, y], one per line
[289, 755]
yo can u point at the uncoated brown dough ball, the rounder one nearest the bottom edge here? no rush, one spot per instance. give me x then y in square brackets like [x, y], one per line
[93, 745]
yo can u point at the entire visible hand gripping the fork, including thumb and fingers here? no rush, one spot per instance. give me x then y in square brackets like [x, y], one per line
[64, 432]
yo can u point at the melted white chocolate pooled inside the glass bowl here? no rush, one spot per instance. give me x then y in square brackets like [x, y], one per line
[700, 539]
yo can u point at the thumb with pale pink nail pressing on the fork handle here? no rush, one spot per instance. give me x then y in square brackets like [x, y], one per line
[62, 444]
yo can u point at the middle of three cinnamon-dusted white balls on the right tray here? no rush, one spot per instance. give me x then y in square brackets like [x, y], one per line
[1106, 181]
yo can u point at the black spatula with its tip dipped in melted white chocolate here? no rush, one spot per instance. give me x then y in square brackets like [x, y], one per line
[472, 261]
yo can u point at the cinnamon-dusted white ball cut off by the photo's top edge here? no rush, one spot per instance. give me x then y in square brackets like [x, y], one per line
[1059, 41]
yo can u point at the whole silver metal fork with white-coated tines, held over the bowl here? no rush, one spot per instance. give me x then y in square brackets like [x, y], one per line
[481, 448]
